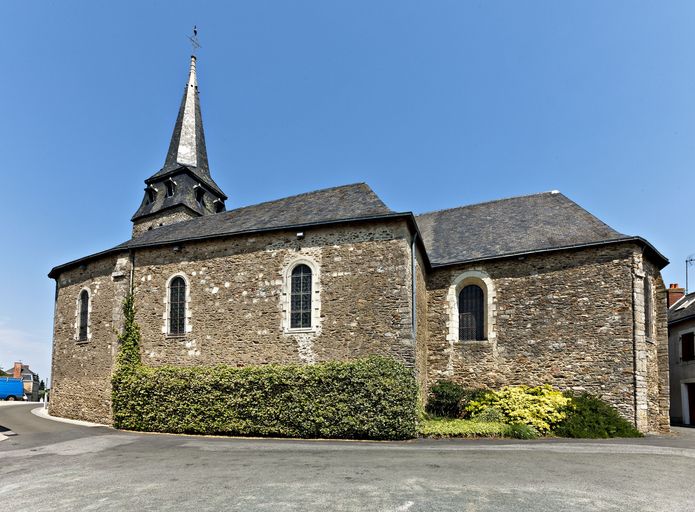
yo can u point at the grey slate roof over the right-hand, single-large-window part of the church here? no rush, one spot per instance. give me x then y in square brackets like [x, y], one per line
[511, 226]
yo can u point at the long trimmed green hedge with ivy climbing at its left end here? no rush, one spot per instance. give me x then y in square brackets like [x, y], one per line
[371, 398]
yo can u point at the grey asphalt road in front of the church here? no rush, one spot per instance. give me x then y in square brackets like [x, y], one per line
[55, 466]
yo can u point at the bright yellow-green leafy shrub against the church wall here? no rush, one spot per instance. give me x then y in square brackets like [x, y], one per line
[541, 407]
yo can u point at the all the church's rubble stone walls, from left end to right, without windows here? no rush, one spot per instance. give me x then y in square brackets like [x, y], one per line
[570, 319]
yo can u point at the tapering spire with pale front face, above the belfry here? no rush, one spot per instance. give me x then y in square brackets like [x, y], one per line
[187, 146]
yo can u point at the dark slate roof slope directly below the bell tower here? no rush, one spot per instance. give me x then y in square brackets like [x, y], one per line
[322, 206]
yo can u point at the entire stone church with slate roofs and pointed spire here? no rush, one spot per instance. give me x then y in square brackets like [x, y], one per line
[524, 290]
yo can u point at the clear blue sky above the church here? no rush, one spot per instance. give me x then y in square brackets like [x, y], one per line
[434, 104]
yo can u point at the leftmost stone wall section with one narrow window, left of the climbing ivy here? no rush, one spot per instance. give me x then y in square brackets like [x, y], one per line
[81, 371]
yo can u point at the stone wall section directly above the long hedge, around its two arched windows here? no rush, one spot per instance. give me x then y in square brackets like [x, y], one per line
[237, 296]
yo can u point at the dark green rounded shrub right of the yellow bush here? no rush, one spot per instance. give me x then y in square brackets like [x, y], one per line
[590, 417]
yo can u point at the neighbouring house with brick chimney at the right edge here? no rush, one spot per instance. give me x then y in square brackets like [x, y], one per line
[681, 341]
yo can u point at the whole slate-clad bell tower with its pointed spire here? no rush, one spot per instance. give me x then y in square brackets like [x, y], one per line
[183, 188]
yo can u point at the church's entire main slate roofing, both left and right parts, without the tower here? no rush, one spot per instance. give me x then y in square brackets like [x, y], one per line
[496, 229]
